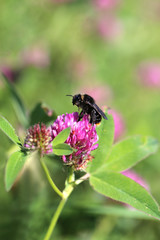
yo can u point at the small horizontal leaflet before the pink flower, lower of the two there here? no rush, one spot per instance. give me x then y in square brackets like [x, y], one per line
[62, 149]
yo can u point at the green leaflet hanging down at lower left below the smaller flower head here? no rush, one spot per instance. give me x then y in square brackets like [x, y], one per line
[14, 166]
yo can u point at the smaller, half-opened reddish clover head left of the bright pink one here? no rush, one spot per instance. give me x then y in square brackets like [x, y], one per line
[38, 138]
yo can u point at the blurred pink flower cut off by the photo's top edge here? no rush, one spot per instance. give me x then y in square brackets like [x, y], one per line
[106, 4]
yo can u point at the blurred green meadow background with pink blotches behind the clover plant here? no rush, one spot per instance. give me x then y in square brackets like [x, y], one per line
[108, 49]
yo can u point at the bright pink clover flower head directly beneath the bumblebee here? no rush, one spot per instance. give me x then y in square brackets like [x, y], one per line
[82, 138]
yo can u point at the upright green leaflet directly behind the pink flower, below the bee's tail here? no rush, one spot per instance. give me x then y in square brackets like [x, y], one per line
[106, 136]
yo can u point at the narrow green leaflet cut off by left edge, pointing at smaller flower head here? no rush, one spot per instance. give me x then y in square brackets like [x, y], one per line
[7, 128]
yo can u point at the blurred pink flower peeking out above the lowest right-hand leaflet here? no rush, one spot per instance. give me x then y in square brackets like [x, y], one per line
[134, 176]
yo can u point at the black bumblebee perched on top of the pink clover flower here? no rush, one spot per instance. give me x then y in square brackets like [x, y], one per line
[88, 106]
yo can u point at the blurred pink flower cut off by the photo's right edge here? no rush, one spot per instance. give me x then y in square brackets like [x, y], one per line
[149, 74]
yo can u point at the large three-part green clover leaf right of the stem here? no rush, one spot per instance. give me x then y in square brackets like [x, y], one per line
[103, 170]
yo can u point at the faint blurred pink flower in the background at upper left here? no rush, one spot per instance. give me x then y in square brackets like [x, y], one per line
[35, 56]
